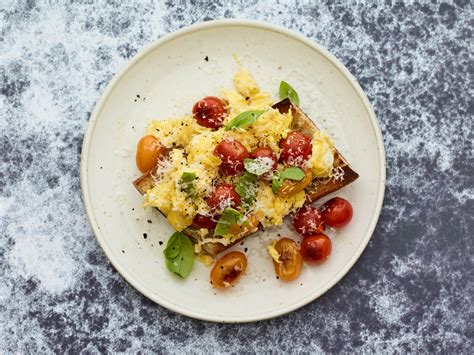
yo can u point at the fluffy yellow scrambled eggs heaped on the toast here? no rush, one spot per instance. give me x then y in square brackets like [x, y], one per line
[192, 151]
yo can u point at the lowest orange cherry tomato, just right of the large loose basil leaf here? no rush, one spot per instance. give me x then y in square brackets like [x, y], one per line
[228, 269]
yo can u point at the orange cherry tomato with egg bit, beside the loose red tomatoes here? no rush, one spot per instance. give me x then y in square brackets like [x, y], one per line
[289, 266]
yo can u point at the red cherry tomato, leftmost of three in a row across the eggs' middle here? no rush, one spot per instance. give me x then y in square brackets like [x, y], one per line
[232, 153]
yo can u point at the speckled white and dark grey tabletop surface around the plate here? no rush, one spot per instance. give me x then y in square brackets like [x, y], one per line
[412, 289]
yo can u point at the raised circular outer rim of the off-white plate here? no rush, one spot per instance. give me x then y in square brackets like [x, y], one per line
[92, 124]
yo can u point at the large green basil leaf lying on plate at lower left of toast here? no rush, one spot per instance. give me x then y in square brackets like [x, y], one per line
[179, 253]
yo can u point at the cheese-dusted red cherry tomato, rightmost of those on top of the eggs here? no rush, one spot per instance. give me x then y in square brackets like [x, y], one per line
[295, 148]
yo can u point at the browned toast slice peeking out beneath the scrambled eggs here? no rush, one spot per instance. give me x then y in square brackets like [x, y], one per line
[320, 187]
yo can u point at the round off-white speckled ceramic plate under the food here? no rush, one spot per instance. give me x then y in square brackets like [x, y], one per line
[169, 76]
